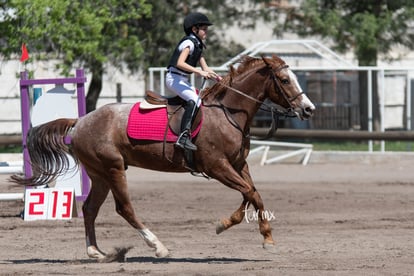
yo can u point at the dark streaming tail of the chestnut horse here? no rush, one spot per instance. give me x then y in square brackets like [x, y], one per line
[48, 152]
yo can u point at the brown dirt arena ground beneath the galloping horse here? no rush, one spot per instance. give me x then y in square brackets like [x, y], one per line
[330, 219]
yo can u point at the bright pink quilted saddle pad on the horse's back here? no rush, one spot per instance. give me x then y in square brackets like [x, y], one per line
[150, 124]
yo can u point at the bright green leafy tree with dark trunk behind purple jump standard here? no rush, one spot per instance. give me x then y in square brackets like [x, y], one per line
[85, 33]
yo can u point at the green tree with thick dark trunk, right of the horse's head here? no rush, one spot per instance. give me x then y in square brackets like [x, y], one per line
[370, 28]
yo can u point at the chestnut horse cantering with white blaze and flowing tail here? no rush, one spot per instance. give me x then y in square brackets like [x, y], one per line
[100, 143]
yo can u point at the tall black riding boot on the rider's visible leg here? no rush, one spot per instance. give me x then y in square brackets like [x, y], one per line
[184, 140]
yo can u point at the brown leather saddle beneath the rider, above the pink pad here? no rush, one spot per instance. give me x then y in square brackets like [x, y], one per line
[175, 109]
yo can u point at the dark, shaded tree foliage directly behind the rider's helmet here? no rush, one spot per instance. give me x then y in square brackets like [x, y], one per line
[163, 30]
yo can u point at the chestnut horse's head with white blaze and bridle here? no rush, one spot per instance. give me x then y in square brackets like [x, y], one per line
[285, 89]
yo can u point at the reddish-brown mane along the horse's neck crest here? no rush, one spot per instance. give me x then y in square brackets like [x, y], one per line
[246, 65]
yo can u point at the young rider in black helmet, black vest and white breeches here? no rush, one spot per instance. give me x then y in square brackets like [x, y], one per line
[183, 62]
